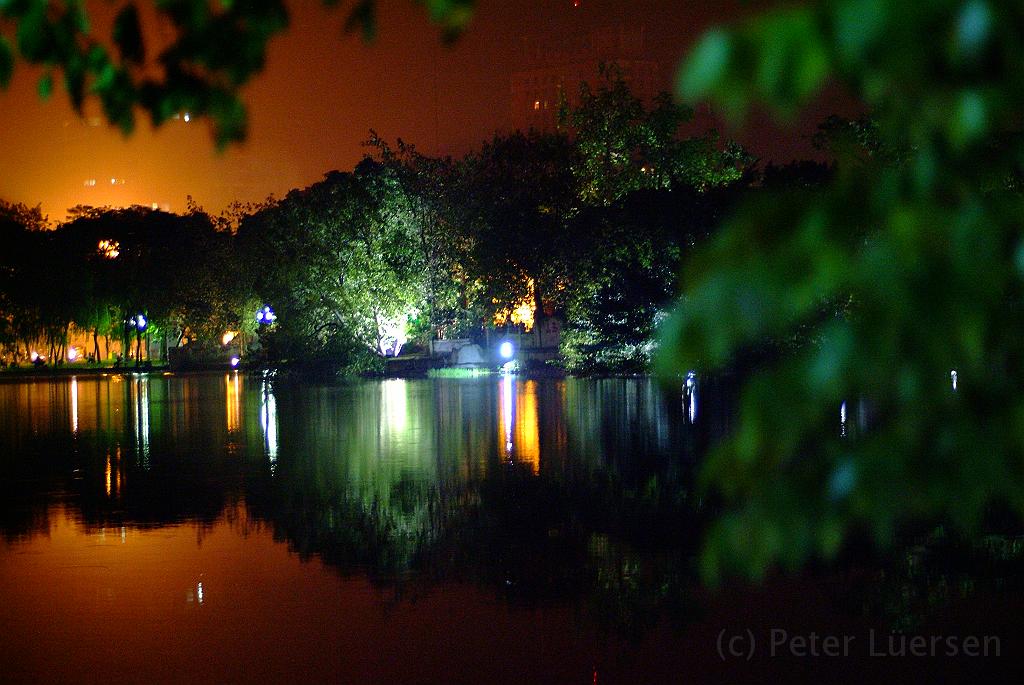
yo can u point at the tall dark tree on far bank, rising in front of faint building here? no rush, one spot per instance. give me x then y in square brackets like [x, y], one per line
[646, 196]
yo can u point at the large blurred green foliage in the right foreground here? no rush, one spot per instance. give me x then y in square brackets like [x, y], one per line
[926, 248]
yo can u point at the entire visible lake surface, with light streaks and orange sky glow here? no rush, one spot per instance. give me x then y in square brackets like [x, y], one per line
[230, 529]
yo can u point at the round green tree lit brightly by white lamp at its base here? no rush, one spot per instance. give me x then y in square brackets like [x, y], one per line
[343, 267]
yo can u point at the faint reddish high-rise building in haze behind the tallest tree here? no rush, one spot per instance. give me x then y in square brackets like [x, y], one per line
[554, 67]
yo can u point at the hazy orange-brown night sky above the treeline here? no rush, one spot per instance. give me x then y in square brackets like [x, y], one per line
[320, 96]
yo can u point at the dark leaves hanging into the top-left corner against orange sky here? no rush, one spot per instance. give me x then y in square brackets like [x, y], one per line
[217, 49]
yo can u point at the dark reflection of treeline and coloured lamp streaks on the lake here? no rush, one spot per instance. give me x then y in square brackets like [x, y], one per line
[399, 482]
